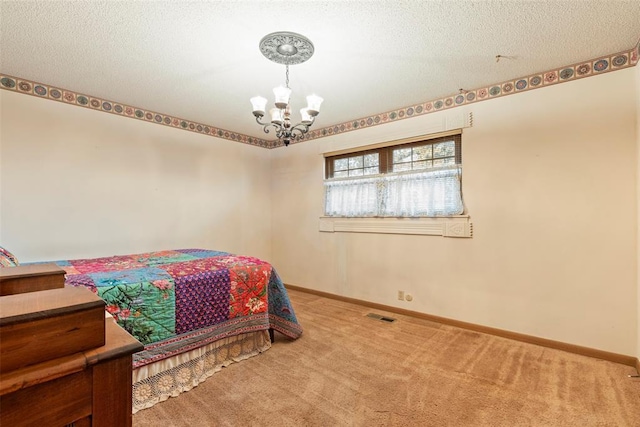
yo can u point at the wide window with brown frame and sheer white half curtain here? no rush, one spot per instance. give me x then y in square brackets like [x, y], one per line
[418, 179]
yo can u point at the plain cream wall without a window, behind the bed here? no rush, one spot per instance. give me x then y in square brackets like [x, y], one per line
[78, 183]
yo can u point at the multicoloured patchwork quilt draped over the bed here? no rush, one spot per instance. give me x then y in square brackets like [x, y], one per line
[177, 300]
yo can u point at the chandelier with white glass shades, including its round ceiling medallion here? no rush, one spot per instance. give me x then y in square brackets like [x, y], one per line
[289, 49]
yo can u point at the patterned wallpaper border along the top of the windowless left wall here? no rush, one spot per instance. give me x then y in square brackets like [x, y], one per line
[53, 93]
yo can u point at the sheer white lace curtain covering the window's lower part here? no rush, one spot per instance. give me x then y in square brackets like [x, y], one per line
[412, 194]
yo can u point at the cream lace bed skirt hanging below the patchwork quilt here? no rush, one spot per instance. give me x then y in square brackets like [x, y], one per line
[166, 378]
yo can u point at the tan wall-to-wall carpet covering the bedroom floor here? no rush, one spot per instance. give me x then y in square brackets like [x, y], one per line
[351, 370]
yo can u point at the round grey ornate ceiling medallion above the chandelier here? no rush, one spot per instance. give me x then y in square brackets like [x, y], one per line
[286, 48]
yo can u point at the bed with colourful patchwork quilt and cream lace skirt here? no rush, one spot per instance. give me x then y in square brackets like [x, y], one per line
[194, 310]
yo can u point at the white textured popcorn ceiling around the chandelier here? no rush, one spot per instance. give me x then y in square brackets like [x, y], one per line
[200, 60]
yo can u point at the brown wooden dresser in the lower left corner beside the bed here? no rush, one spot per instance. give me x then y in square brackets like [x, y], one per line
[61, 361]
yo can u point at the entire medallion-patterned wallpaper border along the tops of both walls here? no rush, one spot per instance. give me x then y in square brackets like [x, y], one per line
[601, 65]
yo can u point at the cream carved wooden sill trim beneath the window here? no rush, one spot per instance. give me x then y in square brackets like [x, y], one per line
[452, 226]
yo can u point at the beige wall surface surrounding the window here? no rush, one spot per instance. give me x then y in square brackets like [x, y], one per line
[550, 184]
